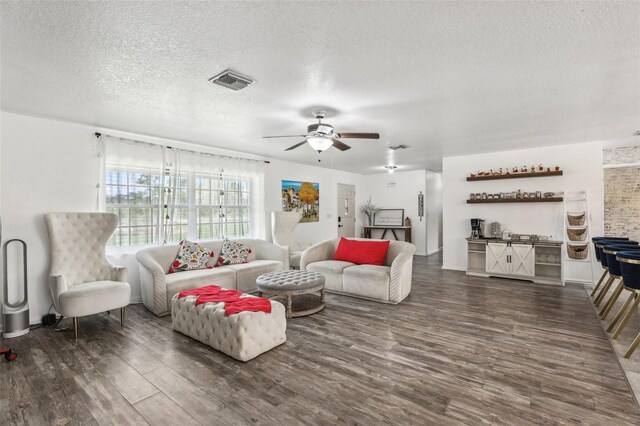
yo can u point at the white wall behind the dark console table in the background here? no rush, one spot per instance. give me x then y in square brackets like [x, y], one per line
[404, 195]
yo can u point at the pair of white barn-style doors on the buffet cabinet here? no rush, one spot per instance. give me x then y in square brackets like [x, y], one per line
[510, 259]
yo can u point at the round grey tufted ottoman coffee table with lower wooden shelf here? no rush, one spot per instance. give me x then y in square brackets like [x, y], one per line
[293, 283]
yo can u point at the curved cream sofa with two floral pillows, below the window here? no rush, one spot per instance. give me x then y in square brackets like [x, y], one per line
[158, 287]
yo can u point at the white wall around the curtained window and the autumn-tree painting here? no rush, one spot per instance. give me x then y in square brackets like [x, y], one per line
[50, 165]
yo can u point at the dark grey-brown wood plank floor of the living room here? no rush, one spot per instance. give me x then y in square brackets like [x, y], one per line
[459, 350]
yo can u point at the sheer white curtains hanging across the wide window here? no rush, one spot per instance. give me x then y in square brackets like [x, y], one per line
[178, 187]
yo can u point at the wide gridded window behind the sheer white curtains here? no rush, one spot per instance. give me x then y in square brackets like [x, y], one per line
[194, 206]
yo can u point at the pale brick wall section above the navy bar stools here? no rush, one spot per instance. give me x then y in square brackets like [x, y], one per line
[622, 201]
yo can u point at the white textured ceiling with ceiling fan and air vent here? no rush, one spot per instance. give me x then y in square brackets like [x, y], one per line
[444, 78]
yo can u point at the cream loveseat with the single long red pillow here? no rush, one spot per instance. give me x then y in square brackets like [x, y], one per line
[390, 283]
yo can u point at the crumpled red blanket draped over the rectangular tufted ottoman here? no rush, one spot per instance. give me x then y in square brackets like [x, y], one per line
[233, 302]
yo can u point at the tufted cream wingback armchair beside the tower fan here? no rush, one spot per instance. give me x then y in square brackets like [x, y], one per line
[82, 280]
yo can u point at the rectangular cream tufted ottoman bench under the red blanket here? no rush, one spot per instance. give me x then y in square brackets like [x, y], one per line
[242, 336]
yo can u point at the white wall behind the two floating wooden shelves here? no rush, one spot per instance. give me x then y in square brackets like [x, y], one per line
[582, 165]
